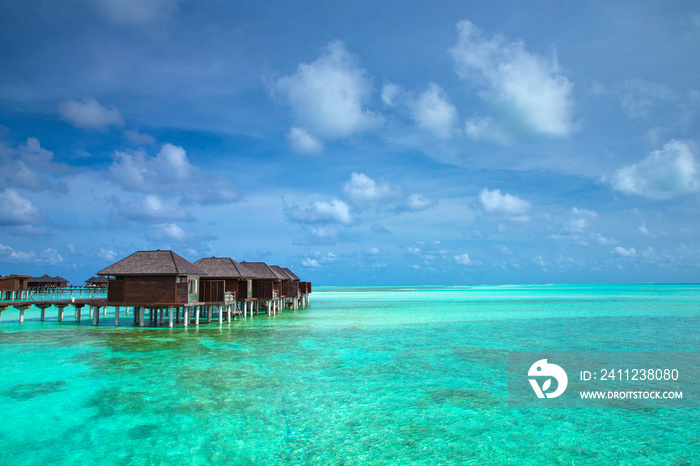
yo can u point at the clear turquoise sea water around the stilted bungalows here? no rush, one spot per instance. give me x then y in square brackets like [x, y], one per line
[361, 376]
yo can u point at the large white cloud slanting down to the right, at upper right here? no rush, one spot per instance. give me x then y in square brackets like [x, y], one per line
[528, 89]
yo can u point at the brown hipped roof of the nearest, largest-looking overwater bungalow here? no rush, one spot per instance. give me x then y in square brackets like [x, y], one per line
[152, 263]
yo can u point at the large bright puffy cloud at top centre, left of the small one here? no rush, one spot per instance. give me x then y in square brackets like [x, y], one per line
[329, 96]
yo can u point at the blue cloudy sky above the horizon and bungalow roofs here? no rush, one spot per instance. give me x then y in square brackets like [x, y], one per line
[355, 142]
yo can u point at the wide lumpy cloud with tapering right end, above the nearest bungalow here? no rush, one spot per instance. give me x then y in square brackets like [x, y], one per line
[170, 173]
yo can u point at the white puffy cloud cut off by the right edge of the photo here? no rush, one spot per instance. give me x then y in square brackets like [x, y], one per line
[664, 174]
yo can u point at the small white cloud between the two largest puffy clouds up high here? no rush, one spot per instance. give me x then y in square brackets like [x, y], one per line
[432, 112]
